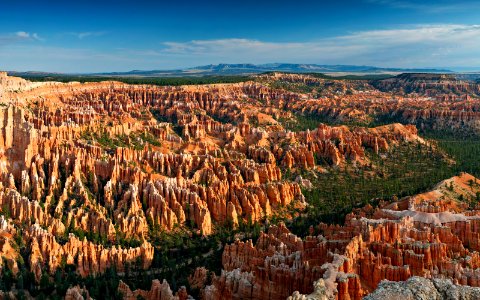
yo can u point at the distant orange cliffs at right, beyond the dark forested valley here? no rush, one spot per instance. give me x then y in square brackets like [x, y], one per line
[431, 101]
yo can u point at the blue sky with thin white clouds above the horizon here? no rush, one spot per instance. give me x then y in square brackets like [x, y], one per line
[119, 35]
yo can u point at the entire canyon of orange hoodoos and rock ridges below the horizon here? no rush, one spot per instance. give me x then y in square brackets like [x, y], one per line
[91, 173]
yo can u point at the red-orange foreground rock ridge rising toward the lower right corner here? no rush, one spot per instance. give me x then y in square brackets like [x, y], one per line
[432, 235]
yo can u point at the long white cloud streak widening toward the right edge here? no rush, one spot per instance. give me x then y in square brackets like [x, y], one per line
[425, 45]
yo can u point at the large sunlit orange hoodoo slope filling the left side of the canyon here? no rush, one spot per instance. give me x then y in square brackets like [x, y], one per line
[90, 165]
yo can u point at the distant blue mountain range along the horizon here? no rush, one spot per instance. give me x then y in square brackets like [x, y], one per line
[249, 69]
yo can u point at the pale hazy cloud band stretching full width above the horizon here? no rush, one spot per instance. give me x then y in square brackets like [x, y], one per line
[444, 45]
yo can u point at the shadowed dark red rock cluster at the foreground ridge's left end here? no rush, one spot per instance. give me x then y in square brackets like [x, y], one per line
[274, 268]
